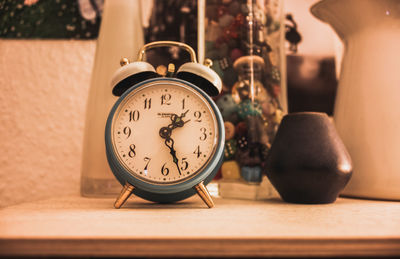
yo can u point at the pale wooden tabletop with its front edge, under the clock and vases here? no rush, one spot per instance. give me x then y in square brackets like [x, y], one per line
[92, 227]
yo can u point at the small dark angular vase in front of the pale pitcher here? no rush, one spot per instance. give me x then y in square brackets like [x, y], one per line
[308, 162]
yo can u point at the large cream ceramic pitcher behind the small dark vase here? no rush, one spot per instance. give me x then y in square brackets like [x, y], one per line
[367, 108]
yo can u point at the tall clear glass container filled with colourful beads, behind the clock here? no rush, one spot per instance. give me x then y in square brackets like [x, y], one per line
[244, 39]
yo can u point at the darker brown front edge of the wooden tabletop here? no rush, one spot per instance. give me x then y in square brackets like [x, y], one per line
[183, 247]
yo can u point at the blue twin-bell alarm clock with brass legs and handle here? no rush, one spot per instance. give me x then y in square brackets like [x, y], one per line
[165, 135]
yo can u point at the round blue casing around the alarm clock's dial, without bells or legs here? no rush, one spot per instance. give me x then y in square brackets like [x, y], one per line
[165, 193]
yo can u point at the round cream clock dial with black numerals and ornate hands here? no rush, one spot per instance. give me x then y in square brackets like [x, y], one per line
[164, 132]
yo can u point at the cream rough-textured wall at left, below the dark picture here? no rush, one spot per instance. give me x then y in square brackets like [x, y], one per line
[44, 87]
